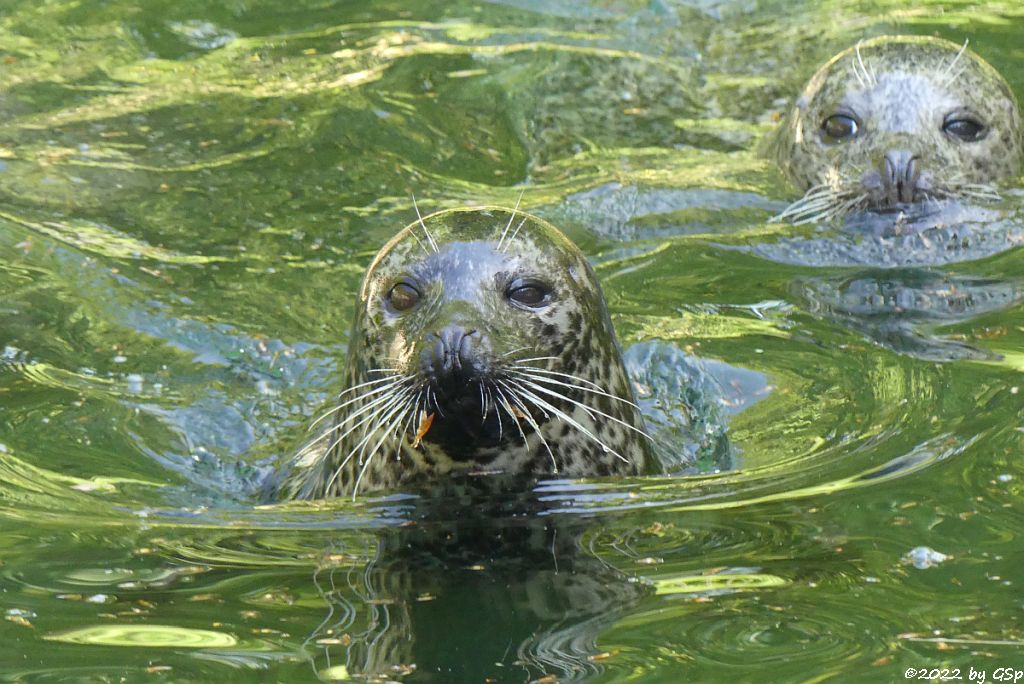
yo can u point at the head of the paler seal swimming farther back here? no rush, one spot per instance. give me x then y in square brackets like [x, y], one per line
[895, 121]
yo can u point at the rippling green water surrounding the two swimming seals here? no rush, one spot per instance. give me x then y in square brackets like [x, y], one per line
[189, 195]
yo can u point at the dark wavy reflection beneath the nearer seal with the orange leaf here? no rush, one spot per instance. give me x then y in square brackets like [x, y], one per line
[524, 601]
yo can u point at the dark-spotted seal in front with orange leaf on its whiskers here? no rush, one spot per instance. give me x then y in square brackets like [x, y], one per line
[481, 345]
